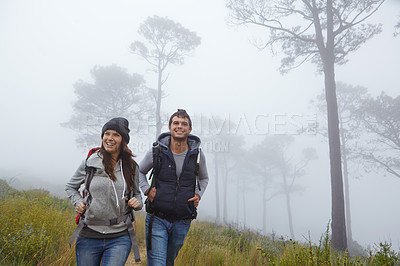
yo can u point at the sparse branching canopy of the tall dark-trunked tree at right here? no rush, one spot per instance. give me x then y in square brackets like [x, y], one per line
[300, 28]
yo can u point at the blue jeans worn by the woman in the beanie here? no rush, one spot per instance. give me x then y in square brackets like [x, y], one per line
[108, 251]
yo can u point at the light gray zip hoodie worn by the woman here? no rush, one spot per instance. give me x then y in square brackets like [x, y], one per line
[108, 197]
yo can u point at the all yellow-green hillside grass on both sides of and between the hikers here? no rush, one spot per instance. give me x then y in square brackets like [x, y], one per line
[36, 227]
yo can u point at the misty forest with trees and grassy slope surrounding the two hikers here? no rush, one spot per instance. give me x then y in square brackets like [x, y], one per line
[297, 105]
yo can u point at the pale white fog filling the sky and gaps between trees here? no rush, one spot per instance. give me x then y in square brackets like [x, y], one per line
[47, 46]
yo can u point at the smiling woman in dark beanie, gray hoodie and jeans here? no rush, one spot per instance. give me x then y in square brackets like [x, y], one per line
[105, 227]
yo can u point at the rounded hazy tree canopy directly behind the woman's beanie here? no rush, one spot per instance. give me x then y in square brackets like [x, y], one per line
[114, 92]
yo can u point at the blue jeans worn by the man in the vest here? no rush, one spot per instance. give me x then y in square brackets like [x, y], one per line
[166, 240]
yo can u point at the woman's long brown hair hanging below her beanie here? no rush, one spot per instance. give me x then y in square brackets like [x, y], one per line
[128, 164]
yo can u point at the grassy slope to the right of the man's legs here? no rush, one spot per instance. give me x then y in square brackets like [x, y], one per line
[212, 244]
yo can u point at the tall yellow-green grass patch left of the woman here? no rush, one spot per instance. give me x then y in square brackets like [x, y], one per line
[35, 228]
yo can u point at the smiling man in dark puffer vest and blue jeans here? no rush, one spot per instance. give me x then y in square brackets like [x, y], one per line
[179, 180]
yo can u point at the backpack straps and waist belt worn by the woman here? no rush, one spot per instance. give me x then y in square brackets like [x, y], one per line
[128, 218]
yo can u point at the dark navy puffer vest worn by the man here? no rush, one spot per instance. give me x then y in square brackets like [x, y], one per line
[173, 192]
